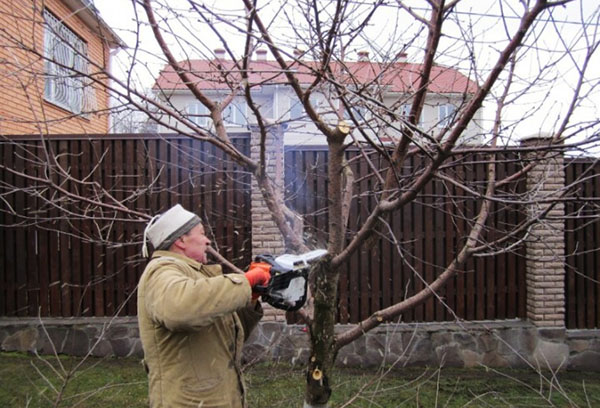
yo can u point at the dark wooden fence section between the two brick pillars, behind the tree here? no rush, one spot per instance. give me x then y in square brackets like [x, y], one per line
[429, 232]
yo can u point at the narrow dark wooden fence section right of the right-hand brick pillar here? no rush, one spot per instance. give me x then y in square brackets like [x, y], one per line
[582, 241]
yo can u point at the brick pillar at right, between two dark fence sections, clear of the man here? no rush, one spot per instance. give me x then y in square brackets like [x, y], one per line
[545, 244]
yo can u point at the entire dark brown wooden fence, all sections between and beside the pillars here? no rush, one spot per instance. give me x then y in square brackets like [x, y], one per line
[47, 268]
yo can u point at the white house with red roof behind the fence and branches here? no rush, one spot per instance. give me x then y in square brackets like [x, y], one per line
[390, 88]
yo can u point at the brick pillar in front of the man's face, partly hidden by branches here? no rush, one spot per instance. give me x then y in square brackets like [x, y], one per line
[266, 238]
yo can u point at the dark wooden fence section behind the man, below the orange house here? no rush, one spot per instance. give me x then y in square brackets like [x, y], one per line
[55, 263]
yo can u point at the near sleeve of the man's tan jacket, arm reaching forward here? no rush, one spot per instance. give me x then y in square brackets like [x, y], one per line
[179, 302]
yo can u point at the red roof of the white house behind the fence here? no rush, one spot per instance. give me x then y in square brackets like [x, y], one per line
[401, 77]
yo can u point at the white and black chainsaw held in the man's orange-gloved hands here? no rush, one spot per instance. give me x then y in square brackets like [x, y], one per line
[288, 285]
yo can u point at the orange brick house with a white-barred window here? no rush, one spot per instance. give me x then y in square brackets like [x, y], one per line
[46, 48]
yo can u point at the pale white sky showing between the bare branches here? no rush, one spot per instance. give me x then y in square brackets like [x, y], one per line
[477, 19]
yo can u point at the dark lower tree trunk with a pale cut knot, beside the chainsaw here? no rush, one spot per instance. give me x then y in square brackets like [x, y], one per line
[322, 335]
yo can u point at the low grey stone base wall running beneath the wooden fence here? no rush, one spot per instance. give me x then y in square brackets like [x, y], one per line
[512, 343]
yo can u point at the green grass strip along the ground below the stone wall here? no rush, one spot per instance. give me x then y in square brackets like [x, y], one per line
[29, 381]
